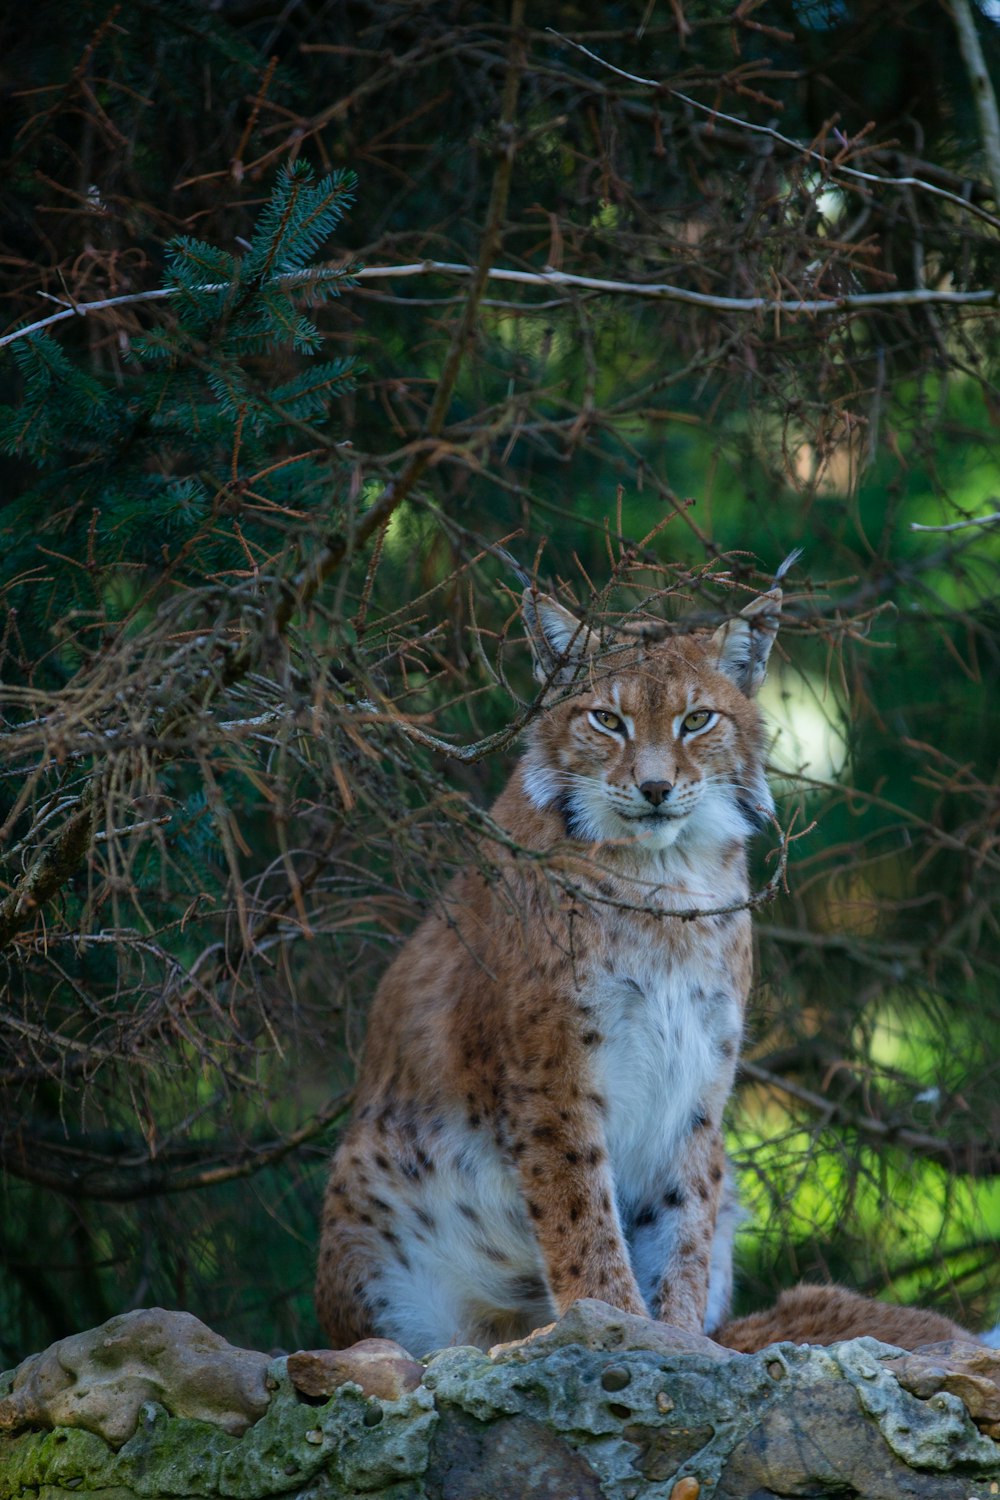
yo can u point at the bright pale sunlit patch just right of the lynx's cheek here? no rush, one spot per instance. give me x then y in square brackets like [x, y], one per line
[807, 725]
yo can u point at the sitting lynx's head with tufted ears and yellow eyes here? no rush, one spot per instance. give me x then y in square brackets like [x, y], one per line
[650, 743]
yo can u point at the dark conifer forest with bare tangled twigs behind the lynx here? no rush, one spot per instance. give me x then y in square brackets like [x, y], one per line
[260, 670]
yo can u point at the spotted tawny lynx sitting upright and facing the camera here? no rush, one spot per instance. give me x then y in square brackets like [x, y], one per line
[539, 1112]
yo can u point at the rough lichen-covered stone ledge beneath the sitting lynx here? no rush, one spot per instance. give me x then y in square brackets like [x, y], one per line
[600, 1406]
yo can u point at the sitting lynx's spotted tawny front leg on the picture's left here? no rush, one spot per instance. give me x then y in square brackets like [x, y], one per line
[570, 1199]
